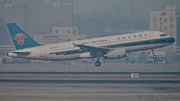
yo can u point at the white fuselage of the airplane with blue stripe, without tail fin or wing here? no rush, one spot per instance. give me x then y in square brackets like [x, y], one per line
[132, 42]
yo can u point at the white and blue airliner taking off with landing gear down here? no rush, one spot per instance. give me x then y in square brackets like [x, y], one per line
[109, 47]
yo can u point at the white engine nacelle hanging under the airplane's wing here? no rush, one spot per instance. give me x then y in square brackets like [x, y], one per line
[115, 54]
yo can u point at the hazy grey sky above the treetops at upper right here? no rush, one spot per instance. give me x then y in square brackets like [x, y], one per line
[142, 6]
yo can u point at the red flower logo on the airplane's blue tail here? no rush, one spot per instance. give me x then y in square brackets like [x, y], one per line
[20, 38]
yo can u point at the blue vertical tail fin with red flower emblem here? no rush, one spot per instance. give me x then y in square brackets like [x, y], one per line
[20, 38]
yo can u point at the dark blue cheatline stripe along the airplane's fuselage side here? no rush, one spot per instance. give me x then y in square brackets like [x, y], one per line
[129, 44]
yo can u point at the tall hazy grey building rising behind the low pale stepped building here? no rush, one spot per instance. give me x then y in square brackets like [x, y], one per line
[41, 17]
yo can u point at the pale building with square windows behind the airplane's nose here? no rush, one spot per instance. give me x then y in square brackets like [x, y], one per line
[165, 21]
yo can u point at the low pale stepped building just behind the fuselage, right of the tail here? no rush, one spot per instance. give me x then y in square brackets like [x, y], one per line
[59, 34]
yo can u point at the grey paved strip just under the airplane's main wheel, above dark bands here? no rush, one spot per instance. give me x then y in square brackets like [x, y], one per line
[89, 67]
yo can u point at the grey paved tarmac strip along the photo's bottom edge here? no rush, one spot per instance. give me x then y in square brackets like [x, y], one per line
[88, 92]
